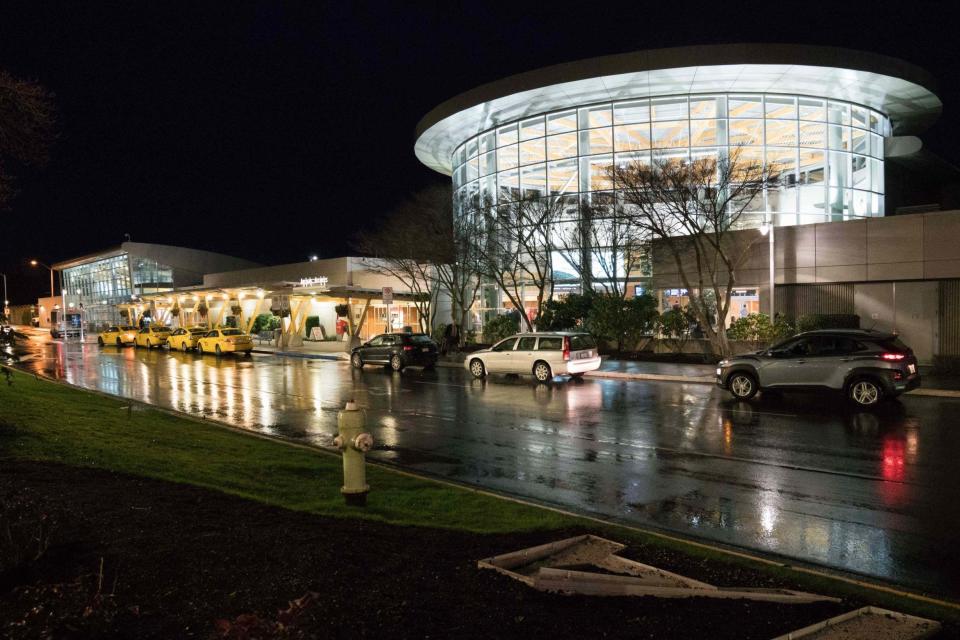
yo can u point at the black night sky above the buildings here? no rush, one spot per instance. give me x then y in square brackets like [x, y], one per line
[272, 131]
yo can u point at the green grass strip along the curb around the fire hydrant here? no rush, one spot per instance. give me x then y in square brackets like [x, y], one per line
[46, 421]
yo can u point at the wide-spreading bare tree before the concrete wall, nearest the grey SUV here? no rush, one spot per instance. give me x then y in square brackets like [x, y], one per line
[688, 209]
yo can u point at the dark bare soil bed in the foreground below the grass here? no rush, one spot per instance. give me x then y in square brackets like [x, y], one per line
[128, 557]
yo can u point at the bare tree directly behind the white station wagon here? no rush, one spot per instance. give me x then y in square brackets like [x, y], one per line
[515, 248]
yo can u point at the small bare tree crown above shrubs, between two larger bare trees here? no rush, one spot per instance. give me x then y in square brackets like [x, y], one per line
[604, 246]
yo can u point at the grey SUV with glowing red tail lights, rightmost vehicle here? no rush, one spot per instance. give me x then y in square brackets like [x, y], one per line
[866, 366]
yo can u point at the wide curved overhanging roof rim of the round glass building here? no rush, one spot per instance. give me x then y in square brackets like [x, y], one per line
[901, 90]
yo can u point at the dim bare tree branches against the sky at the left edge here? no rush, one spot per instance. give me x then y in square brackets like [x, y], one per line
[27, 128]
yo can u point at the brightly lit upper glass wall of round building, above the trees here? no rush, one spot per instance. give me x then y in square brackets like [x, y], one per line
[829, 153]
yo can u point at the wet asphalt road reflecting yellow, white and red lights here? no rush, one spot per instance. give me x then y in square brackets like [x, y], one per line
[804, 477]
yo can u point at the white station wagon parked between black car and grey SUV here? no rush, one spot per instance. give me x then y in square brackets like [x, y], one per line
[544, 355]
